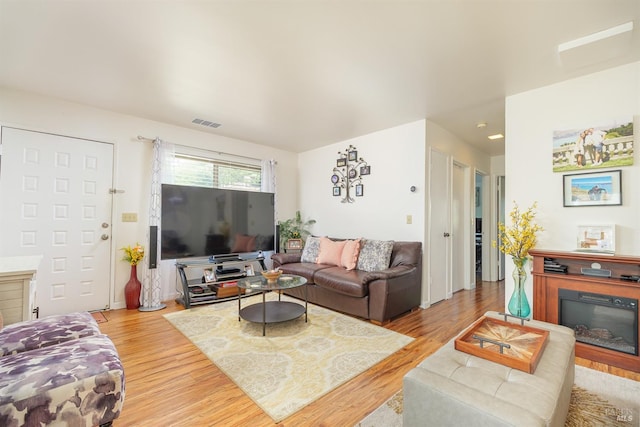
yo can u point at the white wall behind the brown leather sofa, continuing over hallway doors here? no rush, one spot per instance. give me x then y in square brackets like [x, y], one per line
[397, 157]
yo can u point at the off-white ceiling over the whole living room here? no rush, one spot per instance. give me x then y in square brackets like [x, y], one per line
[300, 74]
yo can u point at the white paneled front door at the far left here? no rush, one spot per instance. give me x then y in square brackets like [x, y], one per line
[56, 202]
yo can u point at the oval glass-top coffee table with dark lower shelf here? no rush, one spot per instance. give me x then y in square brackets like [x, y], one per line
[271, 311]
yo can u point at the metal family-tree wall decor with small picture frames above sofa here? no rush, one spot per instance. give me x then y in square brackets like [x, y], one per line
[348, 173]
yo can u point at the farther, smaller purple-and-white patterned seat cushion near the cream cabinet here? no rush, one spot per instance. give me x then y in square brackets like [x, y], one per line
[51, 330]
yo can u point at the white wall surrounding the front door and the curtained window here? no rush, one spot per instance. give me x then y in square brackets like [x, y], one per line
[133, 161]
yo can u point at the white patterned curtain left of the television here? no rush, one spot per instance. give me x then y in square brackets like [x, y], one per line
[161, 171]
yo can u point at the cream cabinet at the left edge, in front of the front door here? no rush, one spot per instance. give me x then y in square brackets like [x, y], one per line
[17, 287]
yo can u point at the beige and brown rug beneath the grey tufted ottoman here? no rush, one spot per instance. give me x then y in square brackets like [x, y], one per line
[597, 400]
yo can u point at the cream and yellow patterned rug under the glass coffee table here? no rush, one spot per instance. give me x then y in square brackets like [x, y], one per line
[296, 362]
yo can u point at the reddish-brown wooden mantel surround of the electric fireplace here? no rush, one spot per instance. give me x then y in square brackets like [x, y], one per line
[547, 284]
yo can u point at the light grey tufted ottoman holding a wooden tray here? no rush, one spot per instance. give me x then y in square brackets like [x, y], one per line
[453, 388]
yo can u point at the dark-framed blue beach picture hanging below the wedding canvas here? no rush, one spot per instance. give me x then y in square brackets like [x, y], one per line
[592, 189]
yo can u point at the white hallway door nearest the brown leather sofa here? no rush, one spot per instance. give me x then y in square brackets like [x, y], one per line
[439, 227]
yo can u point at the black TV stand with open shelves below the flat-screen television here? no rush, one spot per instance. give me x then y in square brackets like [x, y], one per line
[197, 279]
